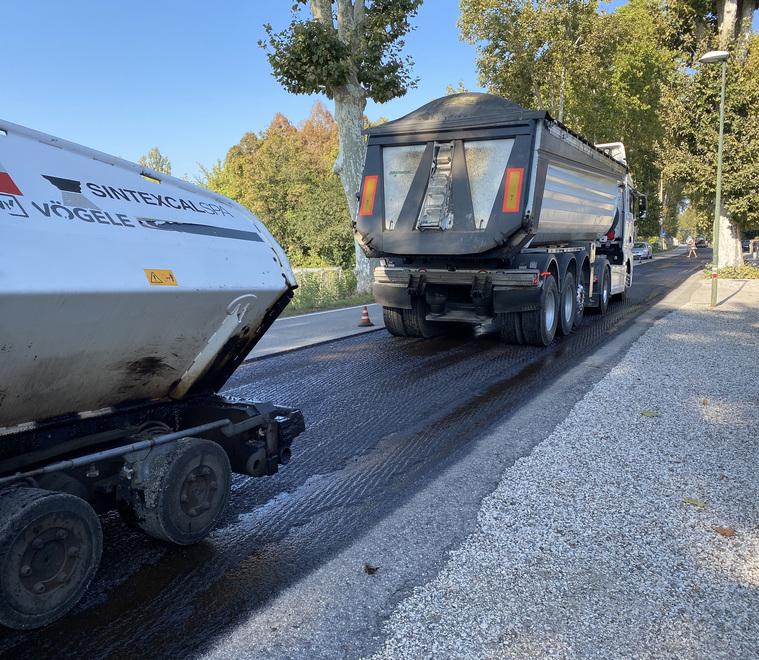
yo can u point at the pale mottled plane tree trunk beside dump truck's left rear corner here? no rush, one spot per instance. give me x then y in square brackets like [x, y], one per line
[349, 115]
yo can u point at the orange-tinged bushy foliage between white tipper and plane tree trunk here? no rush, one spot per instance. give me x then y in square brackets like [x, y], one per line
[284, 175]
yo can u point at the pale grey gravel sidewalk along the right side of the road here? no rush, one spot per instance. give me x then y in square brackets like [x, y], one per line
[633, 529]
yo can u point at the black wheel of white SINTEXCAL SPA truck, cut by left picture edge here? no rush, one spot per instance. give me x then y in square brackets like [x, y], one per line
[50, 548]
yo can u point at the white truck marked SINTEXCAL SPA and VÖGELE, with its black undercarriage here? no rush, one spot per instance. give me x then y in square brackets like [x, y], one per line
[127, 299]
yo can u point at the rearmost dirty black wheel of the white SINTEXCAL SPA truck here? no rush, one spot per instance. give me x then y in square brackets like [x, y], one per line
[186, 489]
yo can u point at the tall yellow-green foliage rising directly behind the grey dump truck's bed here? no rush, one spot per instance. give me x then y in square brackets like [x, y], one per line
[603, 72]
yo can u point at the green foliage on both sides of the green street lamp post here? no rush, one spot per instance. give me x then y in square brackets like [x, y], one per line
[690, 147]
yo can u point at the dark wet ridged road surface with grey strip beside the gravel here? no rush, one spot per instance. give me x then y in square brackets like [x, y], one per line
[404, 439]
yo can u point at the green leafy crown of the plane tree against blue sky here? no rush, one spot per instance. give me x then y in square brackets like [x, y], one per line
[311, 56]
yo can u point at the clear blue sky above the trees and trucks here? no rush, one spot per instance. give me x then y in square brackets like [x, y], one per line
[185, 75]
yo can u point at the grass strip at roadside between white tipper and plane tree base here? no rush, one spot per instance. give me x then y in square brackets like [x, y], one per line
[325, 289]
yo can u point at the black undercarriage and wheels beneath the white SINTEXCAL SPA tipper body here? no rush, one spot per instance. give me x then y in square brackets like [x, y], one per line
[165, 467]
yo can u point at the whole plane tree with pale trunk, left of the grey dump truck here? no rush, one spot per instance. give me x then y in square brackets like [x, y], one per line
[350, 51]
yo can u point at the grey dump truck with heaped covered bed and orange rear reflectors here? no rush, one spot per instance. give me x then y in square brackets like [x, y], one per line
[482, 212]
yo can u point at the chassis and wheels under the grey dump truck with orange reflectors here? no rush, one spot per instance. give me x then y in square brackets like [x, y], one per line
[539, 293]
